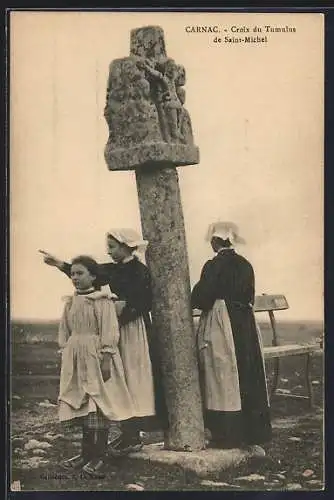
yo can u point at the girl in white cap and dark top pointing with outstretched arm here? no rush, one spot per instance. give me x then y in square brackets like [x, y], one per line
[130, 280]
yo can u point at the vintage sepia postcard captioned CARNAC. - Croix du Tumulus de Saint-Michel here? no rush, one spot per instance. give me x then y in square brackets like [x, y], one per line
[166, 251]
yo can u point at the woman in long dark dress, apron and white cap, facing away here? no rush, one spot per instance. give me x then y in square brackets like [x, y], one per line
[235, 397]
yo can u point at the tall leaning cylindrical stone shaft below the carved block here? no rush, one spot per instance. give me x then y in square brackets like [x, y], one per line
[163, 226]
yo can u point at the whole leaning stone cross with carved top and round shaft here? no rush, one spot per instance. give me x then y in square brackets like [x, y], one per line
[150, 133]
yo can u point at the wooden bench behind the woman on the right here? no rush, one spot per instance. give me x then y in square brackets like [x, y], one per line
[269, 304]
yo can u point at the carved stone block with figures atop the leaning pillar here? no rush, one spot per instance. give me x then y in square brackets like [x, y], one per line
[145, 109]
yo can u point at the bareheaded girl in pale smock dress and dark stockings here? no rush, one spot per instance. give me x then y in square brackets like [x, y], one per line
[93, 390]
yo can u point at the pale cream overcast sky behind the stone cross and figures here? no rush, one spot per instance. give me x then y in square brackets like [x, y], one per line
[257, 116]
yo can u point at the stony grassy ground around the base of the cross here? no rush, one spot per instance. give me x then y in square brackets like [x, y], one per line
[294, 457]
